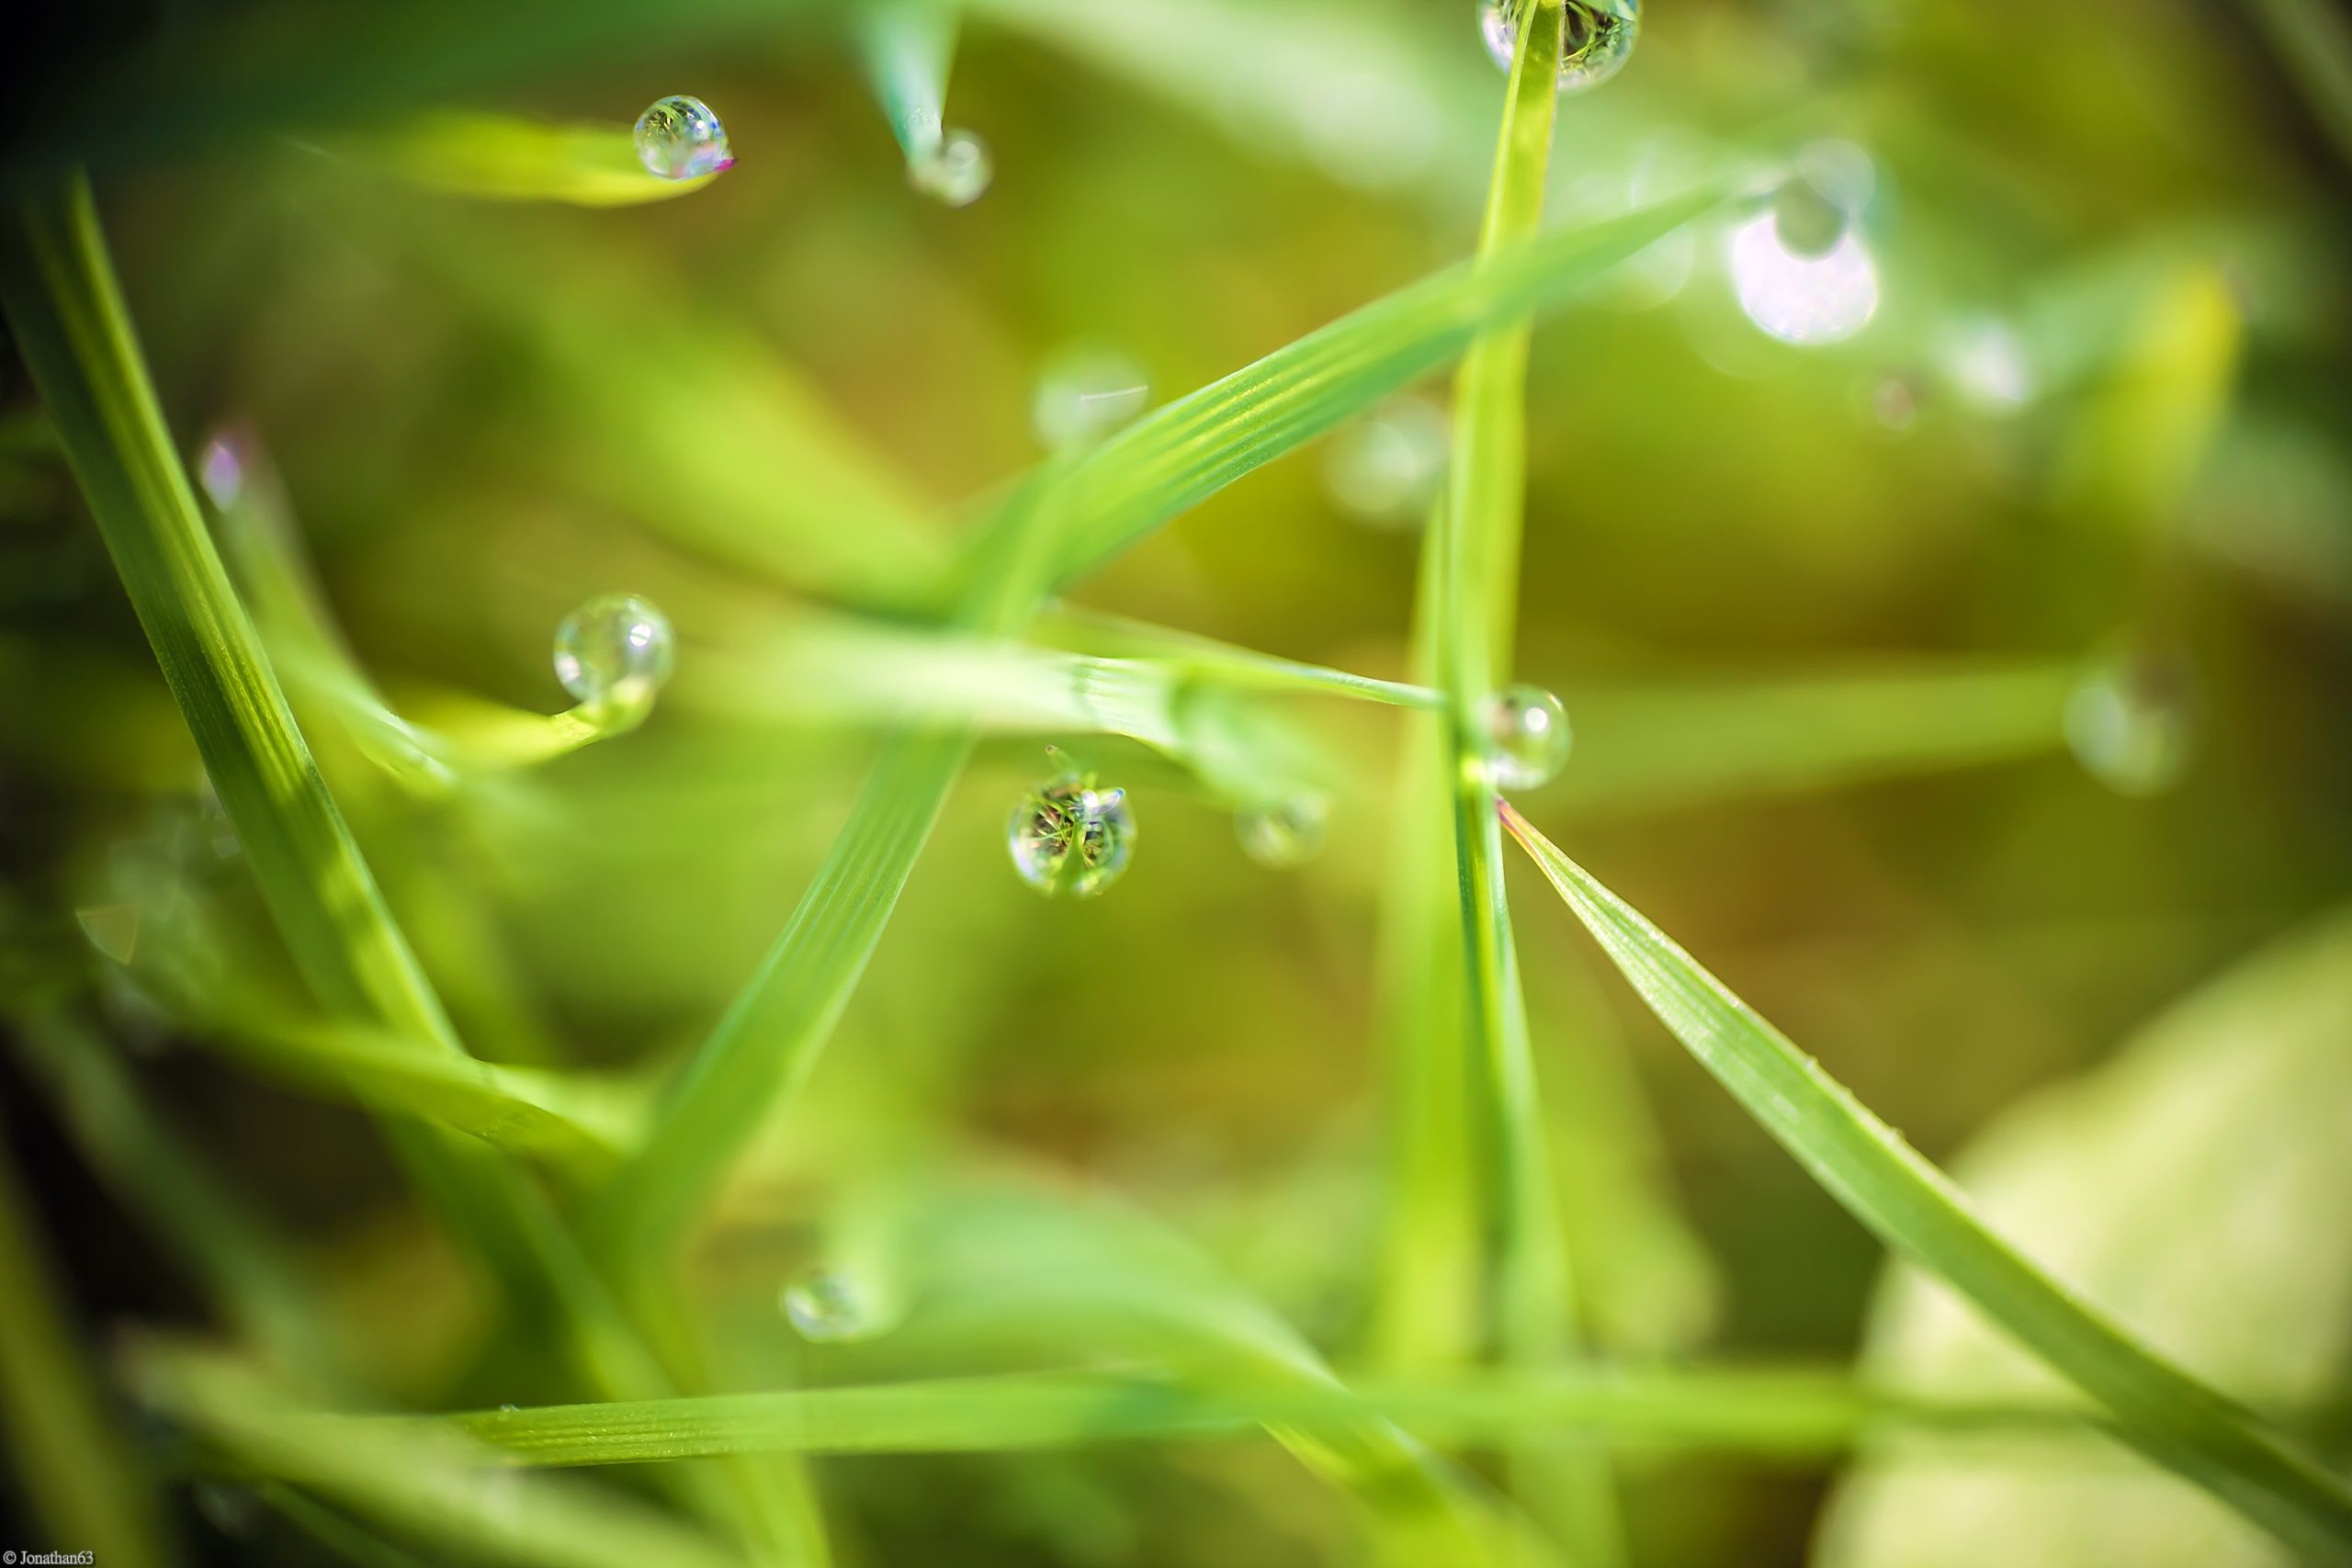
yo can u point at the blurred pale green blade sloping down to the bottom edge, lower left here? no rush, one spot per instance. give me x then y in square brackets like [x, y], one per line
[432, 1485]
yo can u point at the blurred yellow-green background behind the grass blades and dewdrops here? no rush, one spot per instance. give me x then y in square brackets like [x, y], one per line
[488, 413]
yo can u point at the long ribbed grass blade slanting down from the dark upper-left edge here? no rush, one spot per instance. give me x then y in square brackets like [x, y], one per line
[67, 311]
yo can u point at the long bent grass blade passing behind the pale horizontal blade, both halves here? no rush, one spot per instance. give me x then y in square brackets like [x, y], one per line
[770, 1038]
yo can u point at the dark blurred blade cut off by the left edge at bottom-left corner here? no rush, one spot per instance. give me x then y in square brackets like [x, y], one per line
[76, 1473]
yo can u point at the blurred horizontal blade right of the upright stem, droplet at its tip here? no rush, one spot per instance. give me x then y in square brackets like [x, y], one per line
[1641, 749]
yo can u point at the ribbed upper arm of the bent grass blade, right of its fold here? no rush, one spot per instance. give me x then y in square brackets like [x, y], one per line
[1189, 450]
